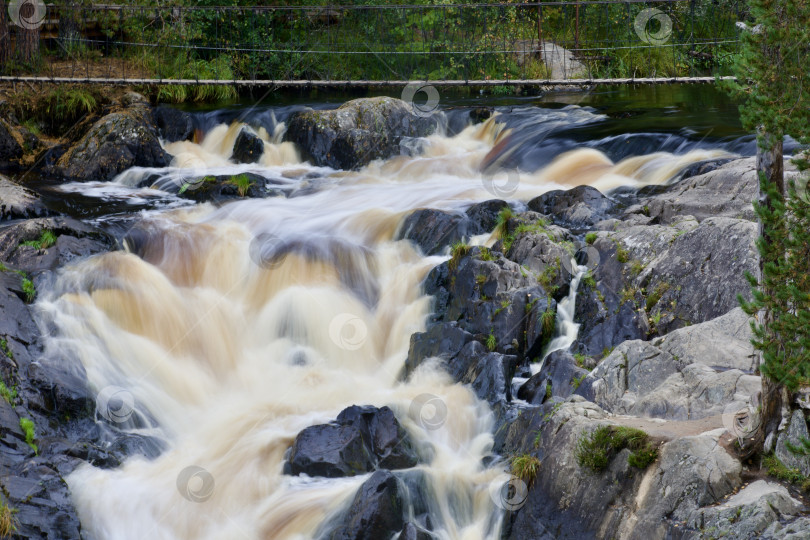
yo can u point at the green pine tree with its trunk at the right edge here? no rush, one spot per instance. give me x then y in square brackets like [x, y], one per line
[773, 82]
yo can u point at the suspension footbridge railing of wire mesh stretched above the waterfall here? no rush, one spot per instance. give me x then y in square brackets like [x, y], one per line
[507, 41]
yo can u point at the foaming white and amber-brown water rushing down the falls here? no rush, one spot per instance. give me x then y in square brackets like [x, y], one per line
[224, 331]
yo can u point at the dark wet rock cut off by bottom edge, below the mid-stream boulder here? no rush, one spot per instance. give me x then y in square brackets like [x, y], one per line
[376, 511]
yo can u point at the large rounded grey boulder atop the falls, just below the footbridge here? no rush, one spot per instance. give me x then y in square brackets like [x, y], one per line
[357, 132]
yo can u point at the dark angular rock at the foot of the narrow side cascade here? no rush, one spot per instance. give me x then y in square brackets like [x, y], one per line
[559, 372]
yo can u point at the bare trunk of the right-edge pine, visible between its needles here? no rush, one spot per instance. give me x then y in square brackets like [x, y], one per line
[774, 397]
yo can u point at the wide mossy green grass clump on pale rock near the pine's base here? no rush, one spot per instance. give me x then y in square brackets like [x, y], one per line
[596, 450]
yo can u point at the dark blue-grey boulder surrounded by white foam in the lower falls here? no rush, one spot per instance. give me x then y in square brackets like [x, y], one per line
[361, 440]
